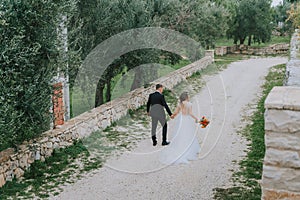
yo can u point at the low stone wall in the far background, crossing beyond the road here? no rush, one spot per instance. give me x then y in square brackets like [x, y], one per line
[248, 50]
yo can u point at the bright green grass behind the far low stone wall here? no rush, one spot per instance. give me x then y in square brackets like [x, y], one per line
[274, 40]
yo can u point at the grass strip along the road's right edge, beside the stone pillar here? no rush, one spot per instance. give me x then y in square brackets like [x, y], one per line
[246, 180]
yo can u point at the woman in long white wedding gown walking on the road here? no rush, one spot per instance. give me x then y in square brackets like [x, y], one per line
[184, 145]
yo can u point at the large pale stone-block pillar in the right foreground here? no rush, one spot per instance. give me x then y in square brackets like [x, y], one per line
[281, 168]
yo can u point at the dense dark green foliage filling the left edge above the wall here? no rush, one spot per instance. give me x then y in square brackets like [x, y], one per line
[28, 52]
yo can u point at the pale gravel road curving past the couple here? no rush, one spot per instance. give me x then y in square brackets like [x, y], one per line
[139, 175]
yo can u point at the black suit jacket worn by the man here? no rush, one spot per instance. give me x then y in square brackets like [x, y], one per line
[157, 103]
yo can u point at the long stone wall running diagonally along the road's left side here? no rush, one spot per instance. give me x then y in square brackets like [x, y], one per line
[14, 163]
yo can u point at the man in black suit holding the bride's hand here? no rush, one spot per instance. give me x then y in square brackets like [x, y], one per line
[157, 103]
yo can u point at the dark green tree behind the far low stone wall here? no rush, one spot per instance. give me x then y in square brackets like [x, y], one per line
[252, 20]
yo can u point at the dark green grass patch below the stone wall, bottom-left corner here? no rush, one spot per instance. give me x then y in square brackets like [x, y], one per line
[43, 177]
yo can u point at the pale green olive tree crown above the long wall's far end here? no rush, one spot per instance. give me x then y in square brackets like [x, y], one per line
[202, 20]
